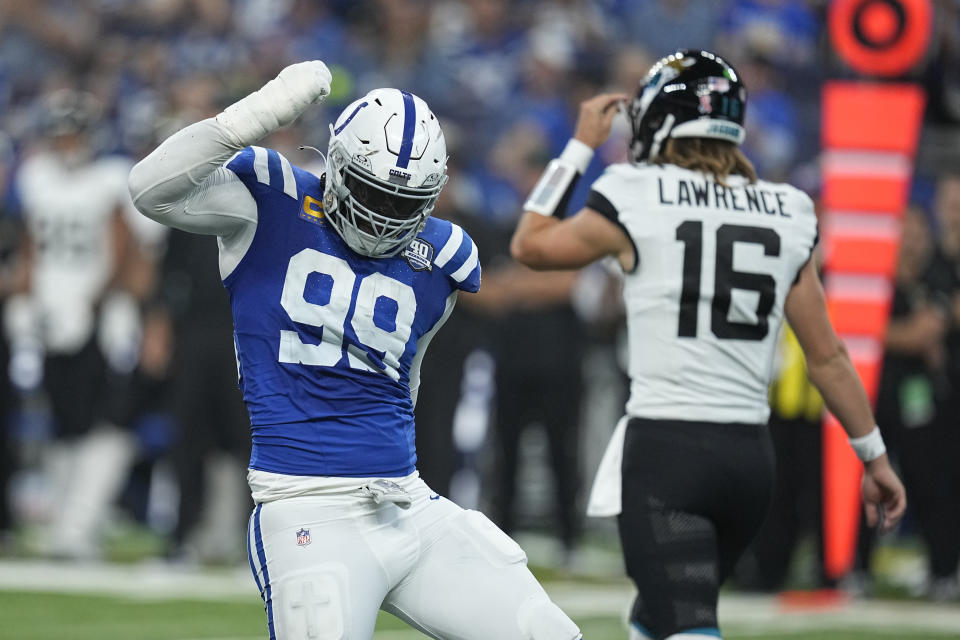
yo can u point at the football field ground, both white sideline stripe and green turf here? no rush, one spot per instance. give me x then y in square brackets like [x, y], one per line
[48, 600]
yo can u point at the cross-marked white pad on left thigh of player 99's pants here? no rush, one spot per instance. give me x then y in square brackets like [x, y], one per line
[312, 605]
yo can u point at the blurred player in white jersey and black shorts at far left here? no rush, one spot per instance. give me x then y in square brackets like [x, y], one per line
[76, 328]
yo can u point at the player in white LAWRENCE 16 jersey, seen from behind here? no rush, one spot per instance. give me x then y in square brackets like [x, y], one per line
[713, 259]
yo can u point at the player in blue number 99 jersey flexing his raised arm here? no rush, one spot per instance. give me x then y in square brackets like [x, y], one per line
[337, 284]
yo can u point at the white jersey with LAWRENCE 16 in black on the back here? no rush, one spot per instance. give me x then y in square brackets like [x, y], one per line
[716, 264]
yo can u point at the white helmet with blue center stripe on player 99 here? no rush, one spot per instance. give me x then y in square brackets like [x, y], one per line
[386, 165]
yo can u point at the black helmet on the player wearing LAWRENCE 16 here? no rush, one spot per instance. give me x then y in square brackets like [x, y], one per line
[688, 94]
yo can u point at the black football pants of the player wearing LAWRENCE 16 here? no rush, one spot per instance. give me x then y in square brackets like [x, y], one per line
[694, 496]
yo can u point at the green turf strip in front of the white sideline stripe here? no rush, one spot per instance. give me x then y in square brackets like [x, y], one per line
[53, 616]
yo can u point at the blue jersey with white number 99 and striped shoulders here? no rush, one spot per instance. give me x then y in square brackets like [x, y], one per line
[327, 340]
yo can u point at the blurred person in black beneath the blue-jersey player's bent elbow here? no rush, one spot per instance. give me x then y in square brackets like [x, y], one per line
[212, 445]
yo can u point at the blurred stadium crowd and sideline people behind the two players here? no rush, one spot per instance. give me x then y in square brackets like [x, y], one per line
[118, 388]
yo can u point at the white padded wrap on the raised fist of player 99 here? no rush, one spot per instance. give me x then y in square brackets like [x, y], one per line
[278, 103]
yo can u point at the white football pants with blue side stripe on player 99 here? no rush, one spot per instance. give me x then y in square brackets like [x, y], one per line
[326, 564]
